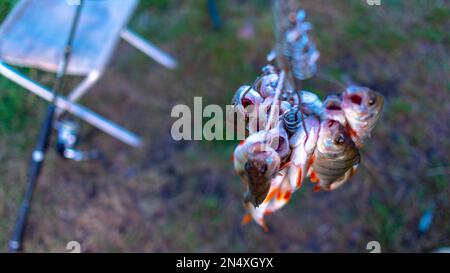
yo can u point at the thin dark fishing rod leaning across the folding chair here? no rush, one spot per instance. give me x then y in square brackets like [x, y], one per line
[38, 156]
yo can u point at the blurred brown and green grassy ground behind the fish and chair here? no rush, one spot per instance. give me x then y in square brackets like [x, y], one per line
[184, 196]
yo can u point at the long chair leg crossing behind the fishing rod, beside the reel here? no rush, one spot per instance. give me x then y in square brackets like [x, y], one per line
[75, 109]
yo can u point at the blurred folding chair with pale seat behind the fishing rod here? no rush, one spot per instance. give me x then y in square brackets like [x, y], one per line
[34, 34]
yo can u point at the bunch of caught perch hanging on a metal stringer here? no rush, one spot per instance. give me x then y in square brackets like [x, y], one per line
[300, 136]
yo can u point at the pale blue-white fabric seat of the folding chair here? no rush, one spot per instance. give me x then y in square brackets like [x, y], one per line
[35, 32]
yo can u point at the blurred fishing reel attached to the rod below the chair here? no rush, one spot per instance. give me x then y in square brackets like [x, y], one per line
[68, 131]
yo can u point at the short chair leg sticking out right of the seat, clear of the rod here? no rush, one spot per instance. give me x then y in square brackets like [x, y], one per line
[149, 49]
